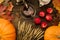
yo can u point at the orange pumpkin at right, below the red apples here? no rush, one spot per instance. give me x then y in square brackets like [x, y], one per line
[52, 33]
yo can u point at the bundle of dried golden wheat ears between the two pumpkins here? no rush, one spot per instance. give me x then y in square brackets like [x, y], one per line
[26, 32]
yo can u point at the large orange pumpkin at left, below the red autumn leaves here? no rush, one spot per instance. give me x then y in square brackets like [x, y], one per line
[7, 30]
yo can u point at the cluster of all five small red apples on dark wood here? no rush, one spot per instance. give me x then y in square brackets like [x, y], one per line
[47, 17]
